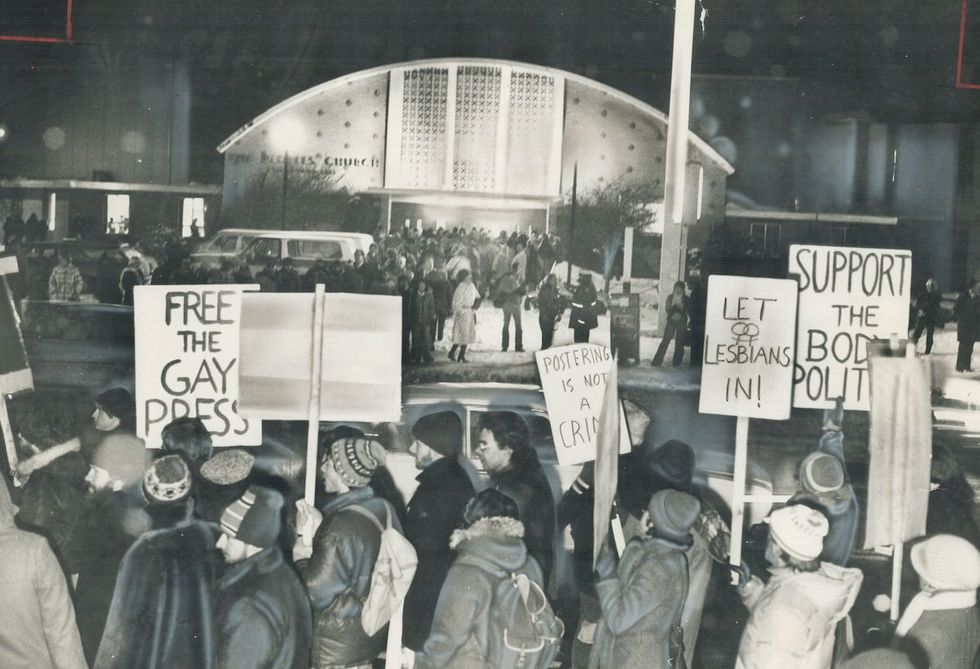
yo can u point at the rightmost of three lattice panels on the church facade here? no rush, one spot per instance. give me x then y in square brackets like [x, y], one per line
[531, 122]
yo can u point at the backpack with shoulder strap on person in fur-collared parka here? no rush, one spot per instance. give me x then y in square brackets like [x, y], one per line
[524, 631]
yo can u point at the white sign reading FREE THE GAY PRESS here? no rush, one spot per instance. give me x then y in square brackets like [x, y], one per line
[187, 356]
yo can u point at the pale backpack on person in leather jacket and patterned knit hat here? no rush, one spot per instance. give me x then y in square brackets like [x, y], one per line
[391, 575]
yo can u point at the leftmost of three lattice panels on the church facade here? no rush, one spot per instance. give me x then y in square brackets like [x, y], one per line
[423, 127]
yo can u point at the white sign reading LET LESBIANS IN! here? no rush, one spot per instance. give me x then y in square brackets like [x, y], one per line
[748, 347]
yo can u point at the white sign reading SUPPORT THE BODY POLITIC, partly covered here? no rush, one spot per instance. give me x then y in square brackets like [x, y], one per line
[848, 297]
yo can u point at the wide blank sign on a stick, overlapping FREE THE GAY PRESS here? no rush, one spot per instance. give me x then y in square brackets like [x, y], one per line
[361, 357]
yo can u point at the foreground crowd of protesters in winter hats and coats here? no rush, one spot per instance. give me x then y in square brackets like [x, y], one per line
[120, 556]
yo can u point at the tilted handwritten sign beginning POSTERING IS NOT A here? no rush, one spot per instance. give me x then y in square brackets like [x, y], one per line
[573, 379]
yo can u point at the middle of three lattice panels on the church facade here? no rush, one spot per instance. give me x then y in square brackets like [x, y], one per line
[477, 117]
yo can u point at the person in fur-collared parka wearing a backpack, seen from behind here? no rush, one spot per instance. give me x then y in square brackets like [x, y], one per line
[476, 622]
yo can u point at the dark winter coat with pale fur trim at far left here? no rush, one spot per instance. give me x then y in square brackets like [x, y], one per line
[54, 503]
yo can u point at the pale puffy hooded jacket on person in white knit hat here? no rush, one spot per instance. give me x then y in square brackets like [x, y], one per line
[792, 617]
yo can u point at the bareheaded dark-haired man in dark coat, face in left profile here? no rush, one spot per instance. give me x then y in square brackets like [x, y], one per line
[512, 463]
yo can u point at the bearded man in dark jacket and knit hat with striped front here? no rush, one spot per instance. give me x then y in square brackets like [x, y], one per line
[261, 611]
